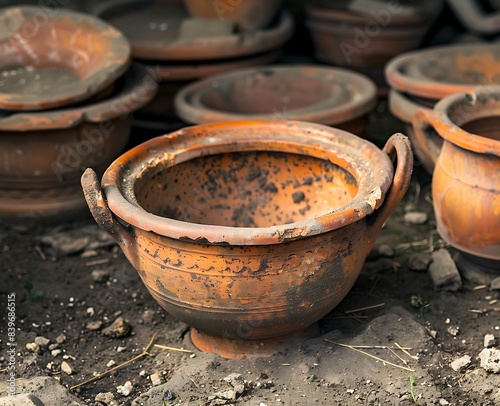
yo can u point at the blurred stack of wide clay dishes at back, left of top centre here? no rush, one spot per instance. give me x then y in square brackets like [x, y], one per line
[179, 47]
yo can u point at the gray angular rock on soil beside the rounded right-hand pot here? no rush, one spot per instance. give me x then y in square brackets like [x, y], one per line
[444, 272]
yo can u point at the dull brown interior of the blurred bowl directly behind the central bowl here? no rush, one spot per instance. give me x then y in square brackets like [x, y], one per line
[266, 92]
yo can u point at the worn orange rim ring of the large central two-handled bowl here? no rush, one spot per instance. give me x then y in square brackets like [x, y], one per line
[347, 150]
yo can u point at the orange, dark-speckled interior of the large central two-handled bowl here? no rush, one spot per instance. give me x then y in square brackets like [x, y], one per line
[246, 189]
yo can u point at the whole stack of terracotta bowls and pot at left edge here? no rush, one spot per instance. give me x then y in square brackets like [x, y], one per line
[67, 94]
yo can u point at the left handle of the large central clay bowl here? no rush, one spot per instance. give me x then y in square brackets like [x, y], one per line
[103, 216]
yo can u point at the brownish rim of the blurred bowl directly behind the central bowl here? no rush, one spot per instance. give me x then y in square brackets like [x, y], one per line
[324, 112]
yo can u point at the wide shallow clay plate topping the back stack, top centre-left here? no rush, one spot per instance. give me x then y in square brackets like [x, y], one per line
[158, 31]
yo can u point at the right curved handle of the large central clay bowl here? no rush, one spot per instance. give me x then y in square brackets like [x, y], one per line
[398, 147]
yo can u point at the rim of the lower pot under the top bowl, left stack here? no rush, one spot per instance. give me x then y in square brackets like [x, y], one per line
[138, 90]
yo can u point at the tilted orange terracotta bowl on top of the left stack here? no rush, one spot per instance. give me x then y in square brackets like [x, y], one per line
[50, 59]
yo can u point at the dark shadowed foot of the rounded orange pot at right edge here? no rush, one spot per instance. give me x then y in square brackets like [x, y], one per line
[477, 269]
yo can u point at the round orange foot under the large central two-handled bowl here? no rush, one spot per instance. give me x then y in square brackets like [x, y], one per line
[241, 349]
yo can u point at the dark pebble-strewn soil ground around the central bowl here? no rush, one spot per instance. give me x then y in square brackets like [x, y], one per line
[65, 303]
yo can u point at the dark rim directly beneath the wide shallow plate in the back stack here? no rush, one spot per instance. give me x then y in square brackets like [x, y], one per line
[197, 70]
